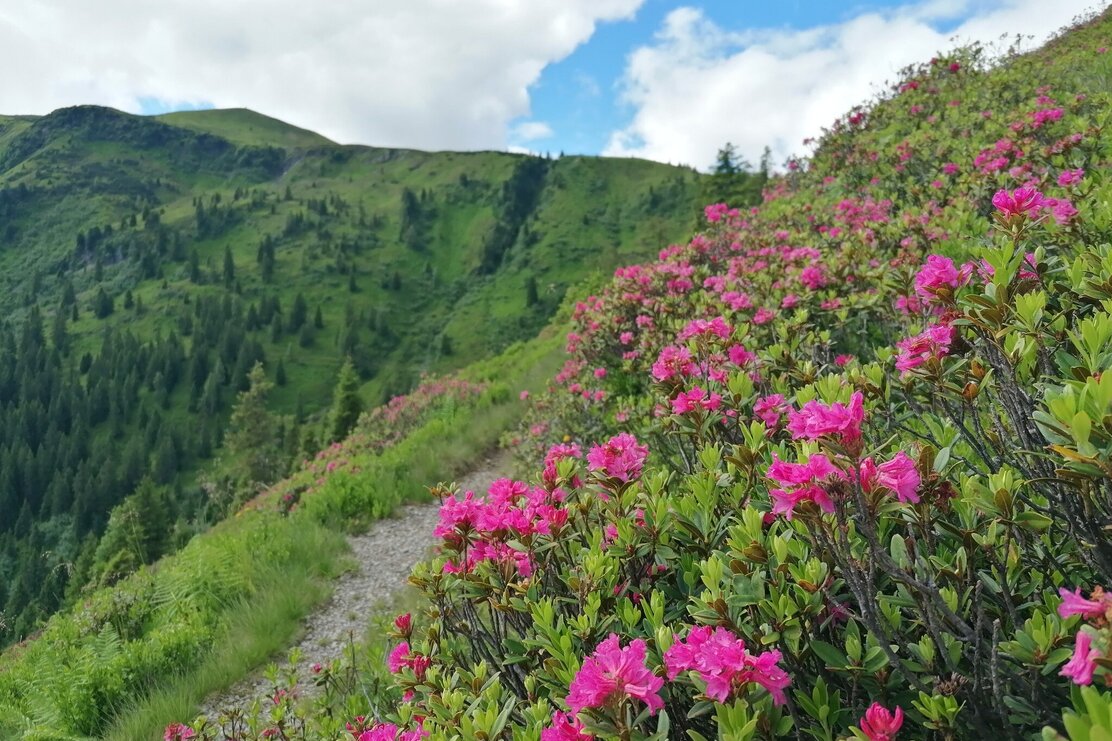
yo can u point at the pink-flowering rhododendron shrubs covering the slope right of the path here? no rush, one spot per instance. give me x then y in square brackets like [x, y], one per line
[847, 467]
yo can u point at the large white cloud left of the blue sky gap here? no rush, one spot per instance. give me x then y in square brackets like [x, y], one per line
[429, 74]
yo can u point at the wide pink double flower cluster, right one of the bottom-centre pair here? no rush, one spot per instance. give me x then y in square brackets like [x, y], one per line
[724, 666]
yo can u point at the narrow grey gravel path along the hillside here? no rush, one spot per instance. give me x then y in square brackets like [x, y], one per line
[385, 556]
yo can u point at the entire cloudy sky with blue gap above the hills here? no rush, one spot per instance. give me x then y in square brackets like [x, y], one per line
[661, 80]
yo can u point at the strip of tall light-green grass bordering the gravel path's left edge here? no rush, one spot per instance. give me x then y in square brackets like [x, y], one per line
[259, 628]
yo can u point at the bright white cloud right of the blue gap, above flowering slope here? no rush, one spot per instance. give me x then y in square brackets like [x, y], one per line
[699, 86]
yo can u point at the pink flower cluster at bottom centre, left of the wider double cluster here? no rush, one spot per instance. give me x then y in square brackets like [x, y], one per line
[612, 671]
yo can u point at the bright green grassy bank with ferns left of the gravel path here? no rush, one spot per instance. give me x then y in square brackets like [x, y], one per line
[205, 618]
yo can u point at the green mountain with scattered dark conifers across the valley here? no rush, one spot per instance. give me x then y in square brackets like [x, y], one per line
[150, 263]
